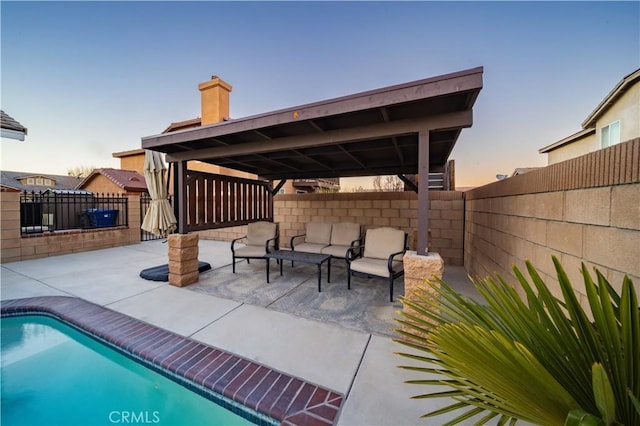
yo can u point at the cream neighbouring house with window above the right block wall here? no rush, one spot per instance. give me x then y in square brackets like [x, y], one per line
[615, 120]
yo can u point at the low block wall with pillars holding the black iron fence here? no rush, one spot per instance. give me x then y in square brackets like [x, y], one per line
[14, 247]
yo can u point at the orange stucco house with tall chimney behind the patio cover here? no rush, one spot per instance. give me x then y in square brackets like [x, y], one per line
[214, 106]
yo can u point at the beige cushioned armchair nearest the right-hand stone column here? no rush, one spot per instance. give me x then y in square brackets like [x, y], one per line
[382, 257]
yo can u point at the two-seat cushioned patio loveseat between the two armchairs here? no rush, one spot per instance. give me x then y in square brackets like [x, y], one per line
[326, 238]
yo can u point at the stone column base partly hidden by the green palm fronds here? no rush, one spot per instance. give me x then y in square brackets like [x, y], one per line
[418, 269]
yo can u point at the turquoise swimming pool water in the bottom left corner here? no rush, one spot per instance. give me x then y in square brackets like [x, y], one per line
[54, 375]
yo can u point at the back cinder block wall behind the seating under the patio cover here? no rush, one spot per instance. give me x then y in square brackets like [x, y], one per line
[371, 209]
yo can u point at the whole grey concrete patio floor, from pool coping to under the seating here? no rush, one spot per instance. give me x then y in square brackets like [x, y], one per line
[338, 338]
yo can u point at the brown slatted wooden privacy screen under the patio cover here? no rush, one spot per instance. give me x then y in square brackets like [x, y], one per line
[218, 201]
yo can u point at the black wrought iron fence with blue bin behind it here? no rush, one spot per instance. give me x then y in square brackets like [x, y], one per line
[56, 210]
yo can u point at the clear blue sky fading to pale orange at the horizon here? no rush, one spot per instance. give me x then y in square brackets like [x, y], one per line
[92, 78]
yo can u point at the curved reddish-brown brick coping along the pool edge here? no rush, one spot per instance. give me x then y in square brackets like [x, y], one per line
[282, 397]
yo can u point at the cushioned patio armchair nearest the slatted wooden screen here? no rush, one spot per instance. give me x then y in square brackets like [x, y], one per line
[261, 238]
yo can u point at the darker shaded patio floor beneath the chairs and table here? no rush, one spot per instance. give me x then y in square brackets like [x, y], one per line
[365, 307]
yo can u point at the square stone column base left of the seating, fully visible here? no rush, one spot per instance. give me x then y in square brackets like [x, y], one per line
[183, 259]
